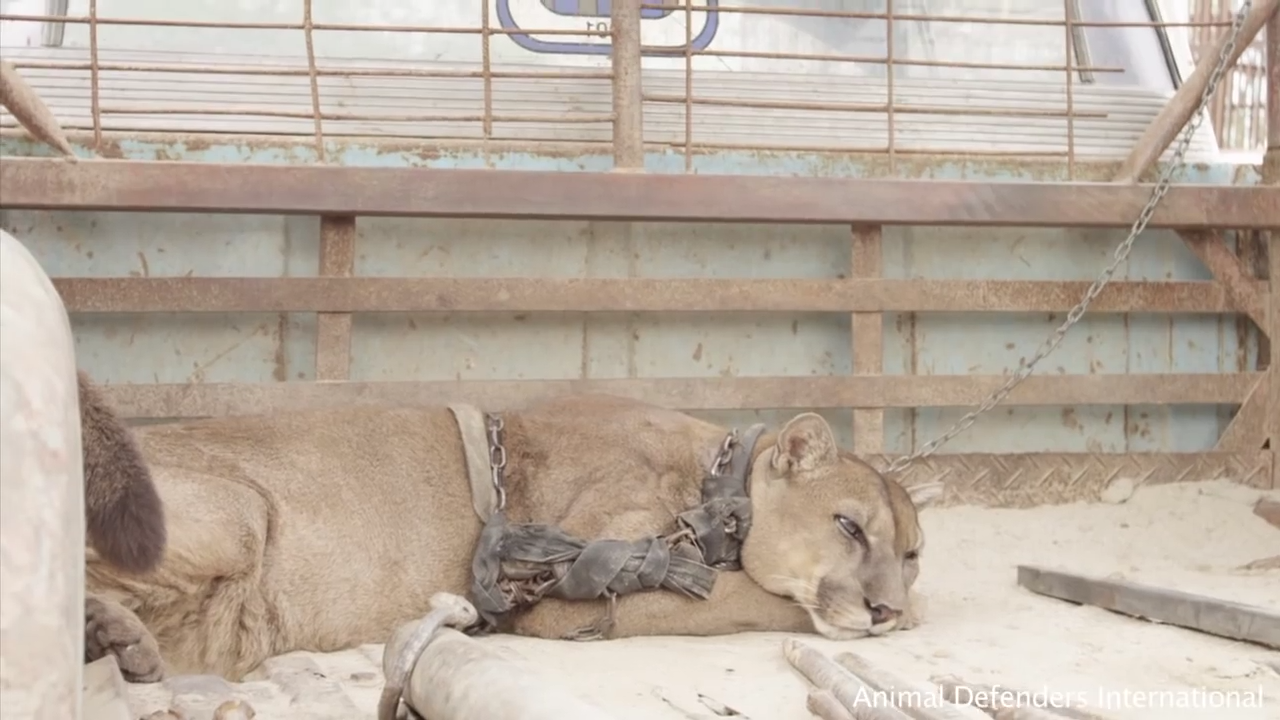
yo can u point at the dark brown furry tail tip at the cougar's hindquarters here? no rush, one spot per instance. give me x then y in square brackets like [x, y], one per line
[125, 516]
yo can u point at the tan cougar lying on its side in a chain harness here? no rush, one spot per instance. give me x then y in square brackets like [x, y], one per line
[326, 530]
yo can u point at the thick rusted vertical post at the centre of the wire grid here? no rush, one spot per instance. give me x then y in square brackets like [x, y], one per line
[628, 92]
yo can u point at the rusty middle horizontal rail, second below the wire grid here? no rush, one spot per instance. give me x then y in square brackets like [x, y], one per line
[629, 295]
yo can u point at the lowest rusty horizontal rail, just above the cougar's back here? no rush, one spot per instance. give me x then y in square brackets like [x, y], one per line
[691, 394]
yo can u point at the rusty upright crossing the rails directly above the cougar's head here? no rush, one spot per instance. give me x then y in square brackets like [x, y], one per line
[868, 341]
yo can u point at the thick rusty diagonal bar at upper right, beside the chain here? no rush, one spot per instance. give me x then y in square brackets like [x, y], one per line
[1172, 120]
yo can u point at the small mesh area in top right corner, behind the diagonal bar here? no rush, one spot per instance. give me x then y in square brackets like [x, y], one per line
[1240, 108]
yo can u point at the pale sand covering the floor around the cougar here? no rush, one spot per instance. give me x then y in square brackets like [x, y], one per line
[979, 626]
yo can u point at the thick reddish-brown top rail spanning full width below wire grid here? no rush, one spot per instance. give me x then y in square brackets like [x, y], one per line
[214, 188]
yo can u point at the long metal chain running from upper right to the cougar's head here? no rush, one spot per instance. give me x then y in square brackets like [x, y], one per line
[1121, 256]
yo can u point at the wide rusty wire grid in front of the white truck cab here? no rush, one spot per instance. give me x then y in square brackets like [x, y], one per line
[995, 79]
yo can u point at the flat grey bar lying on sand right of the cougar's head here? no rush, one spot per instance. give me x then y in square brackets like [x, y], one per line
[1222, 618]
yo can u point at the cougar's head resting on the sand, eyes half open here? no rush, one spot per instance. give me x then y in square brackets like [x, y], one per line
[834, 535]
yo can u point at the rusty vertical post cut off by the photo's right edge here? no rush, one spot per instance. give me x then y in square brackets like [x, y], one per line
[1272, 176]
